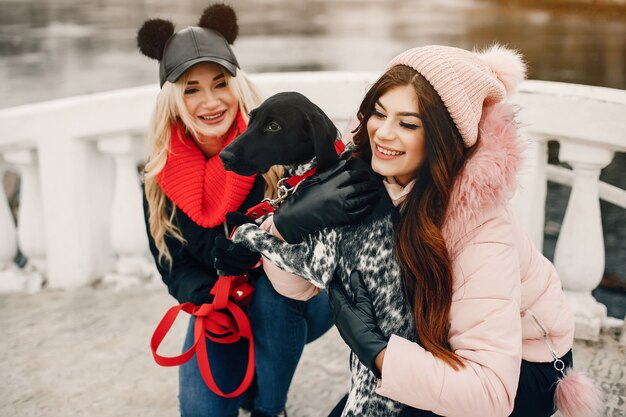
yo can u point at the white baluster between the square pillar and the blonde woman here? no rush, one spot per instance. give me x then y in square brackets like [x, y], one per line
[127, 227]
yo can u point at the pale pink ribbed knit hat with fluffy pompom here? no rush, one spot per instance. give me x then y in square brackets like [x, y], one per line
[466, 81]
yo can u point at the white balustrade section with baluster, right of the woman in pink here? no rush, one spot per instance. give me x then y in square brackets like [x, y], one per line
[588, 123]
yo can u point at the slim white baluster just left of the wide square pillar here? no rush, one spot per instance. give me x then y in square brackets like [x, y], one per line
[30, 228]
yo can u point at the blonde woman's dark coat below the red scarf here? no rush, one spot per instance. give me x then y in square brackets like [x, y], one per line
[192, 274]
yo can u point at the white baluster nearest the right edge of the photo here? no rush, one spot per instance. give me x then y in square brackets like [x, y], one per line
[579, 252]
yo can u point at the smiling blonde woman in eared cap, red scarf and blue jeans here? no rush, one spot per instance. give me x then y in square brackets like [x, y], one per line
[202, 106]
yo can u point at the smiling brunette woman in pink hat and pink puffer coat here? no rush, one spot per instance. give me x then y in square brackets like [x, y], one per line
[495, 330]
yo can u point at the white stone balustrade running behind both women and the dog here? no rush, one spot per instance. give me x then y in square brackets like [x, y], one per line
[91, 200]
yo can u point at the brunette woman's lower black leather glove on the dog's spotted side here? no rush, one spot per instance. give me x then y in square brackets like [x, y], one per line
[356, 321]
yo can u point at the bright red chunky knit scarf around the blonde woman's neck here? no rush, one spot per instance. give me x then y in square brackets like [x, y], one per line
[201, 187]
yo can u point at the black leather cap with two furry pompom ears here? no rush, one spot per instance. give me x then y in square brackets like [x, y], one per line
[208, 42]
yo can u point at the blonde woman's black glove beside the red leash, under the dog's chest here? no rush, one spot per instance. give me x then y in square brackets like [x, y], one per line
[233, 258]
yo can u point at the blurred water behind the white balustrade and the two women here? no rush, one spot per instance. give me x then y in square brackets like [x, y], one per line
[59, 48]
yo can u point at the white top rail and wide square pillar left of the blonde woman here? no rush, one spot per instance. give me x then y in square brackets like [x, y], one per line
[76, 178]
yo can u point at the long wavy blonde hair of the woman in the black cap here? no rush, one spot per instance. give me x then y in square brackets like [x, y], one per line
[170, 108]
